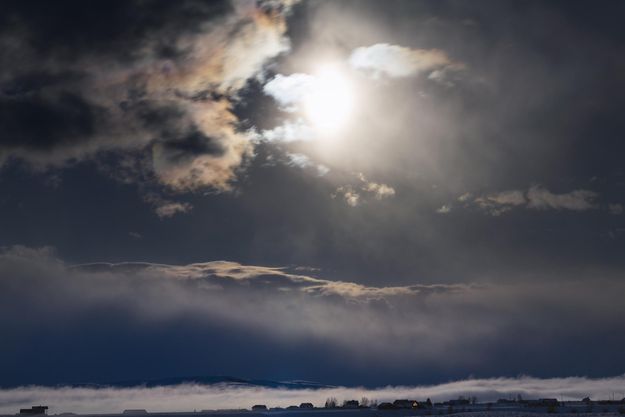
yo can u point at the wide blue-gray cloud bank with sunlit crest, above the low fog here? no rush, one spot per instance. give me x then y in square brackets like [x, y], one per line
[402, 329]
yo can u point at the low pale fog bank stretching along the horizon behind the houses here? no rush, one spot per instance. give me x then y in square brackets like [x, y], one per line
[189, 397]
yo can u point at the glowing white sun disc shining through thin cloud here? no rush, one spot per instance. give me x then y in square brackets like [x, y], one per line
[330, 104]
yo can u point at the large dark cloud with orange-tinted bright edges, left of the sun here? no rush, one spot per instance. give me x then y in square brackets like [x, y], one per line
[128, 76]
